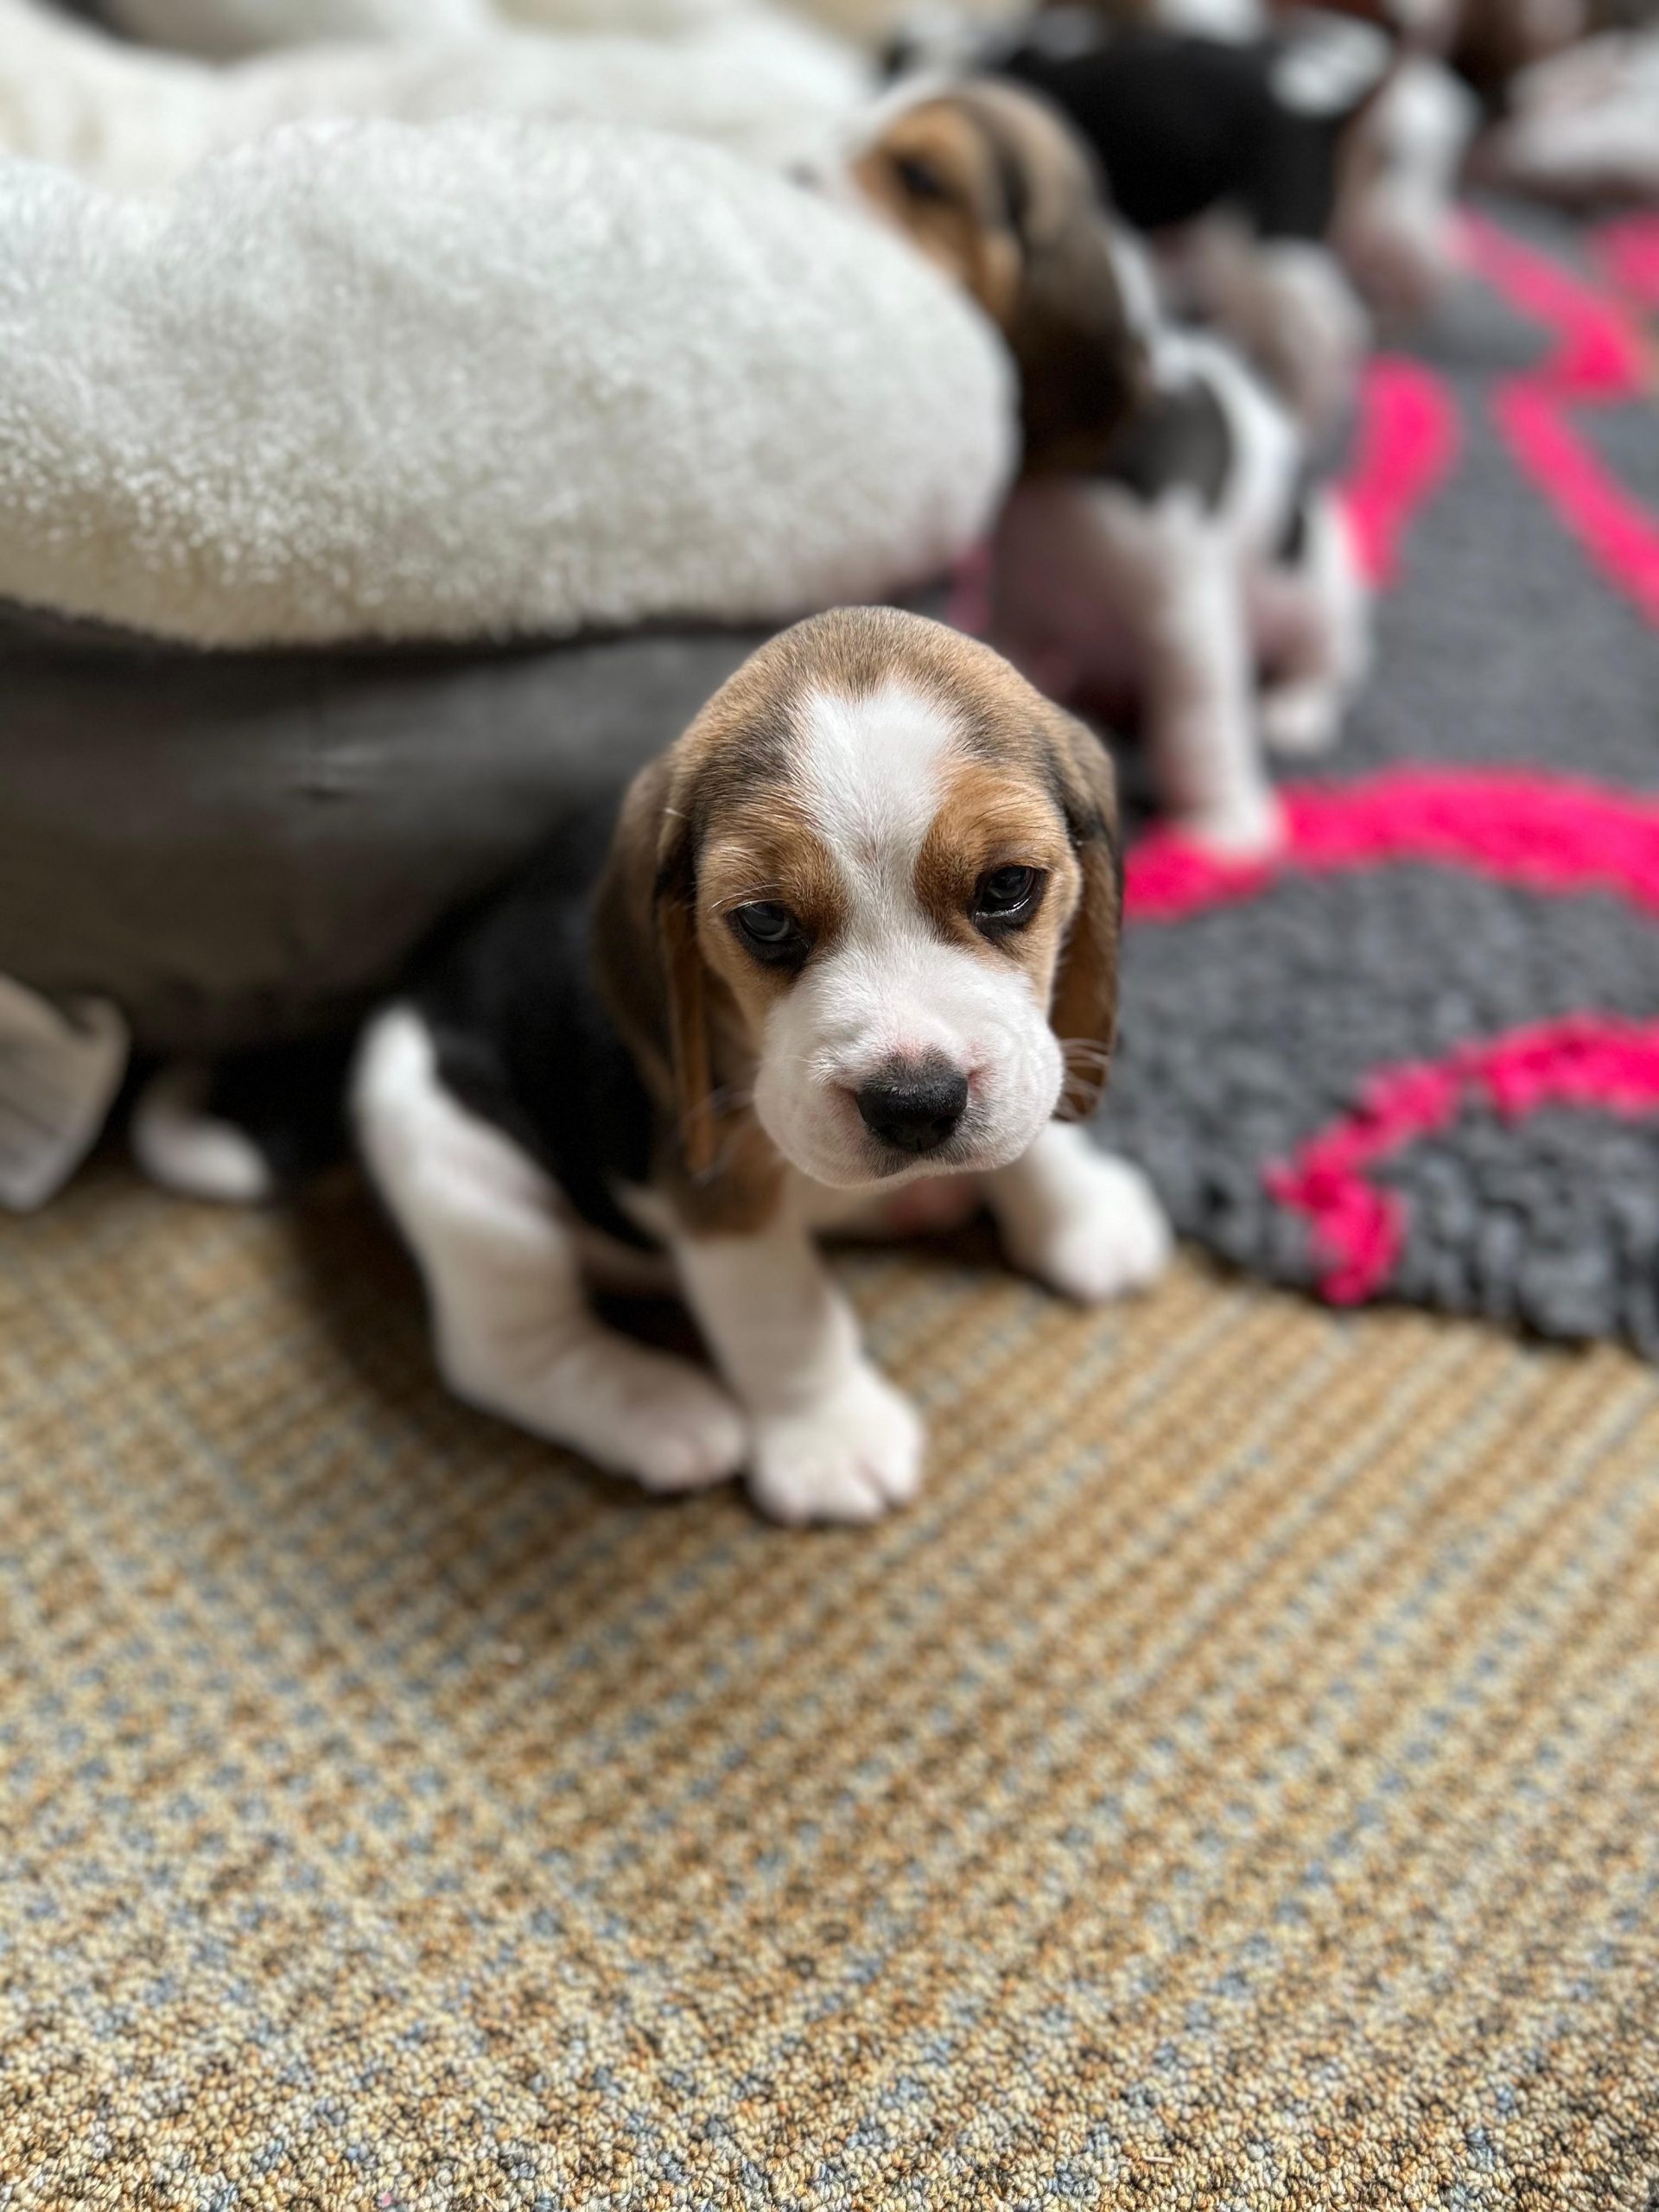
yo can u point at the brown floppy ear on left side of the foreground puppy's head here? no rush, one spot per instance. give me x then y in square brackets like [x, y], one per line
[651, 966]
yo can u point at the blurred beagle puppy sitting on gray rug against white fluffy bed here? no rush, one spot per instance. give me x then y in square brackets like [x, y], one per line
[1169, 547]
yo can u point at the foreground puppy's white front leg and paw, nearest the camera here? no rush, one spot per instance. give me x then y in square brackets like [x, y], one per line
[833, 1439]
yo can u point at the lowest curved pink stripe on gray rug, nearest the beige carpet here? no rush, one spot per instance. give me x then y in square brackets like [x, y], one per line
[1359, 1229]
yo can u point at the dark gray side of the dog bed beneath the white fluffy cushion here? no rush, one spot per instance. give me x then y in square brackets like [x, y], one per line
[242, 848]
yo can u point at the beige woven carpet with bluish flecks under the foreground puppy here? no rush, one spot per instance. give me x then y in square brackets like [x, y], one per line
[1238, 1784]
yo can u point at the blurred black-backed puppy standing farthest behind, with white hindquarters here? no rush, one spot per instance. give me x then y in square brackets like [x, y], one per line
[1295, 174]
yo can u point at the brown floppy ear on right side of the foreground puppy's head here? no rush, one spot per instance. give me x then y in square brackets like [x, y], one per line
[1083, 1010]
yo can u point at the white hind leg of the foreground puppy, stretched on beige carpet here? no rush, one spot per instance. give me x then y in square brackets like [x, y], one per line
[510, 1308]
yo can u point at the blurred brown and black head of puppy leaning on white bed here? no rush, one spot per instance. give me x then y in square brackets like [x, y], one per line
[997, 187]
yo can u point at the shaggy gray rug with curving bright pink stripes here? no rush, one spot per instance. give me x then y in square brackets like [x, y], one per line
[1421, 1056]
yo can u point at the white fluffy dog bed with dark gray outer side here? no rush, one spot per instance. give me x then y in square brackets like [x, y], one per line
[486, 379]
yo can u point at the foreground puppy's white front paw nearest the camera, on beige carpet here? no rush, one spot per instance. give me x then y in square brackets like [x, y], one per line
[846, 1459]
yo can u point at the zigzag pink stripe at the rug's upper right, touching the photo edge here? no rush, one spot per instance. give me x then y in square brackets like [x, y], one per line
[1598, 359]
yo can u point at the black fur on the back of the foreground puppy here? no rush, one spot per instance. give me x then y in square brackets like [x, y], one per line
[525, 1039]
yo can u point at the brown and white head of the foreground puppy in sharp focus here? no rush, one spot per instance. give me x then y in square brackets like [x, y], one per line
[877, 888]
